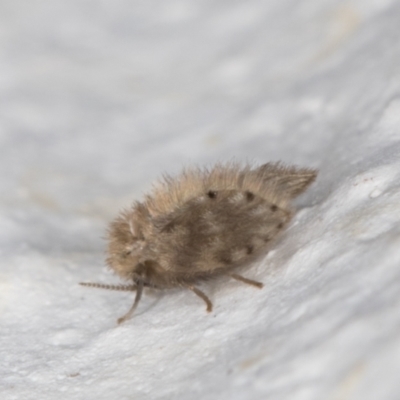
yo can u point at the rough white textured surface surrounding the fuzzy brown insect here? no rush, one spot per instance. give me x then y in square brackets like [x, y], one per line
[100, 98]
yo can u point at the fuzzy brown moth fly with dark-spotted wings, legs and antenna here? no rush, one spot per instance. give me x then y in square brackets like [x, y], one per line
[203, 224]
